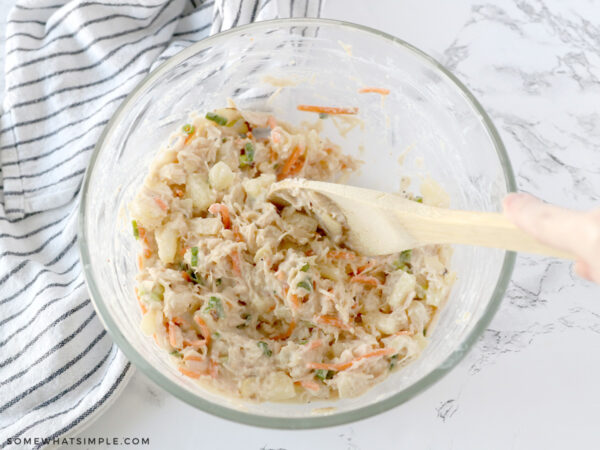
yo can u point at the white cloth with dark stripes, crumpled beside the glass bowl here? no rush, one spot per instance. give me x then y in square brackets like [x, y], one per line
[68, 66]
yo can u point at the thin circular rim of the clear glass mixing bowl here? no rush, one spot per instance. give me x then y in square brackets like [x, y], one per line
[292, 422]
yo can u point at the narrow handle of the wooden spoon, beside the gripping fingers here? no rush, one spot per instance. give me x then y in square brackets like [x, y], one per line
[488, 230]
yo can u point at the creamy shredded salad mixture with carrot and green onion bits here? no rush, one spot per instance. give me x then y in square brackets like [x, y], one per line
[263, 300]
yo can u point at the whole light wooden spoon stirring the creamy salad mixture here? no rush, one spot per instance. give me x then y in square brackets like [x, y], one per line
[381, 223]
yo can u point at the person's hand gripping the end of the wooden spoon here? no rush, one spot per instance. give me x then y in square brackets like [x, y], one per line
[574, 231]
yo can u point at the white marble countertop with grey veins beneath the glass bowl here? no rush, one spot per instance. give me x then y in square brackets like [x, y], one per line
[532, 380]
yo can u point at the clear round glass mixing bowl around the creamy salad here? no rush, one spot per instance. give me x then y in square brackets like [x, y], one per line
[429, 120]
